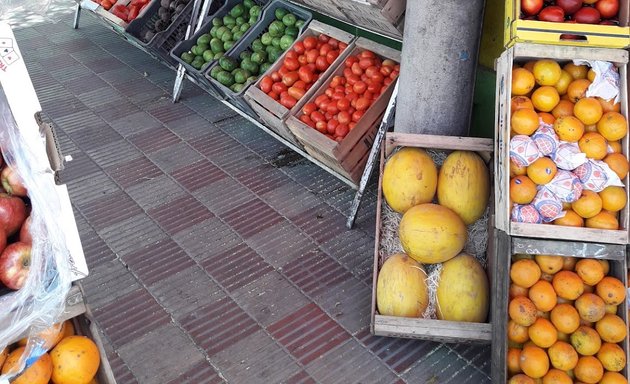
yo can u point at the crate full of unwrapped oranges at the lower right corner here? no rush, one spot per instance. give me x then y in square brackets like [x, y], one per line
[563, 312]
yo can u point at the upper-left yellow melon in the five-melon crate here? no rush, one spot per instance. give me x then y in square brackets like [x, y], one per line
[409, 178]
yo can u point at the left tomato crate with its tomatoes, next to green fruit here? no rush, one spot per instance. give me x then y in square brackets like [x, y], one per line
[297, 75]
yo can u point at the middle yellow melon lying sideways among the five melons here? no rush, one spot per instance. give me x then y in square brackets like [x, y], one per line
[431, 233]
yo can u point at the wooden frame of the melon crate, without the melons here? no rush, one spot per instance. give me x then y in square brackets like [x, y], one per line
[420, 328]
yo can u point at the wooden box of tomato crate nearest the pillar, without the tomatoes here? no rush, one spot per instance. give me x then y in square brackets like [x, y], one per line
[349, 156]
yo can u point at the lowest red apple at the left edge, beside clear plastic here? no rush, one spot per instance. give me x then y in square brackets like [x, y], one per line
[15, 263]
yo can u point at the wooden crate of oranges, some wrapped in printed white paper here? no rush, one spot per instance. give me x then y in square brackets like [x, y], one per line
[562, 143]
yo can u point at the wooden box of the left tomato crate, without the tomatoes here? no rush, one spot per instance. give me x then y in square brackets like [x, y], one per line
[274, 114]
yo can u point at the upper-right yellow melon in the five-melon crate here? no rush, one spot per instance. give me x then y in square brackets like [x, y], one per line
[464, 185]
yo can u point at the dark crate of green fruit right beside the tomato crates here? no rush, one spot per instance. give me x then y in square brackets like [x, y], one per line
[280, 25]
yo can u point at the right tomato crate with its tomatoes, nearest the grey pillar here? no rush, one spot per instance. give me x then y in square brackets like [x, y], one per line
[338, 123]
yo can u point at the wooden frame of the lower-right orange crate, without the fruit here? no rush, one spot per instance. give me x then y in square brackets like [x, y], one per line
[506, 246]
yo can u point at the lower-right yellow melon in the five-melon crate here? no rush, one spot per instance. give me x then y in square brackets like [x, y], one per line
[463, 293]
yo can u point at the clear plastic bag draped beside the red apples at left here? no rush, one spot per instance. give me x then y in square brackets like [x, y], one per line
[40, 302]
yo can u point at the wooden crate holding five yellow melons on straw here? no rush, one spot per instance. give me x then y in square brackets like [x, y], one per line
[433, 212]
